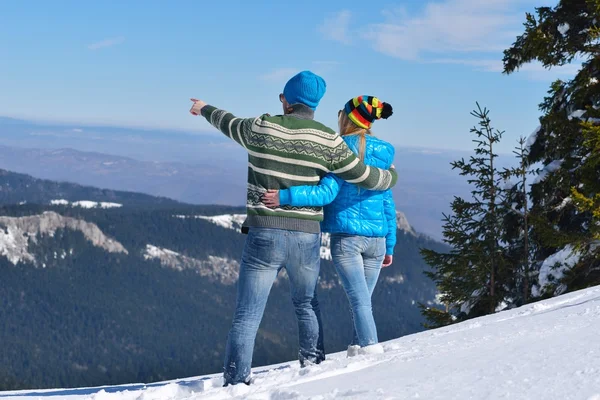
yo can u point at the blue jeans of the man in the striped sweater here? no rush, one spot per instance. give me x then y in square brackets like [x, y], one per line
[266, 252]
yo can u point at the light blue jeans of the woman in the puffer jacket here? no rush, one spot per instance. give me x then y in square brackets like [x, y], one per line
[358, 261]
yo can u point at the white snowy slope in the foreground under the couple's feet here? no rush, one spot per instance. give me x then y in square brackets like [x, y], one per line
[547, 350]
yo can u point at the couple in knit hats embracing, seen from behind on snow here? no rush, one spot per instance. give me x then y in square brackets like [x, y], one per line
[297, 165]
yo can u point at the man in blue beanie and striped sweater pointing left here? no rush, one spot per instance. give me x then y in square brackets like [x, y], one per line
[283, 151]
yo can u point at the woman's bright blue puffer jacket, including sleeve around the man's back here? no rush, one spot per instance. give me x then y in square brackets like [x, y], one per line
[349, 209]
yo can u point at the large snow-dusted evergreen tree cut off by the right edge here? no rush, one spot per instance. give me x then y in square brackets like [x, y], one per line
[564, 210]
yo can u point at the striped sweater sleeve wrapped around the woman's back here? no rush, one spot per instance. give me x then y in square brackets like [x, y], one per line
[347, 166]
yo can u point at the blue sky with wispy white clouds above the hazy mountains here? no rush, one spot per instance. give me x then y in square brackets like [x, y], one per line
[137, 63]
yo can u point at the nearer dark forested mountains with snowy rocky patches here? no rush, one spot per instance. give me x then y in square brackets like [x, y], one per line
[106, 287]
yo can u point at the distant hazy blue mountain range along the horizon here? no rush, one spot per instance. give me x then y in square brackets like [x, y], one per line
[201, 167]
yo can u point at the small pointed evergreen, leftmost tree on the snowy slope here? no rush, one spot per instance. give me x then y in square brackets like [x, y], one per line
[472, 277]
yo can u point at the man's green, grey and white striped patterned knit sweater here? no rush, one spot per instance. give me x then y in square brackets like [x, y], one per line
[292, 150]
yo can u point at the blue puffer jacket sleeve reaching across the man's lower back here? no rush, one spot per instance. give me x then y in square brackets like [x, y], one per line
[312, 195]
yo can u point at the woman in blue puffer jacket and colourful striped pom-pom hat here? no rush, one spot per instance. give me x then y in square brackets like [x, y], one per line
[362, 222]
